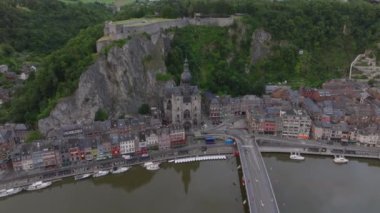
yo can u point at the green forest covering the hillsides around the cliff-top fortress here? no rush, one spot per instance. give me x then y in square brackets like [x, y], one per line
[311, 42]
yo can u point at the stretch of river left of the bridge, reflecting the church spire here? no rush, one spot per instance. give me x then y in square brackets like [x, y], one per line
[195, 187]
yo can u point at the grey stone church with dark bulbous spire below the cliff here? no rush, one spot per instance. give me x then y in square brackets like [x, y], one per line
[182, 104]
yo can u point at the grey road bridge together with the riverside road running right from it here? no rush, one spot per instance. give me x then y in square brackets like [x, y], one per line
[260, 195]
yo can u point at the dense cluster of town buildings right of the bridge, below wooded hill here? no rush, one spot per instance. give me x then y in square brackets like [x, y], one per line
[342, 110]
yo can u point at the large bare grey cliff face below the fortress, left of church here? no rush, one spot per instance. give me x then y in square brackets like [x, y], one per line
[119, 82]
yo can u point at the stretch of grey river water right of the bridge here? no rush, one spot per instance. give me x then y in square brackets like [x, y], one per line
[317, 185]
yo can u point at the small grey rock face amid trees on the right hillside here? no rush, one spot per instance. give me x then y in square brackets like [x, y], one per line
[260, 45]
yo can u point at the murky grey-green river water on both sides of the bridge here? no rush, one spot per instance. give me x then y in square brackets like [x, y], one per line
[314, 185]
